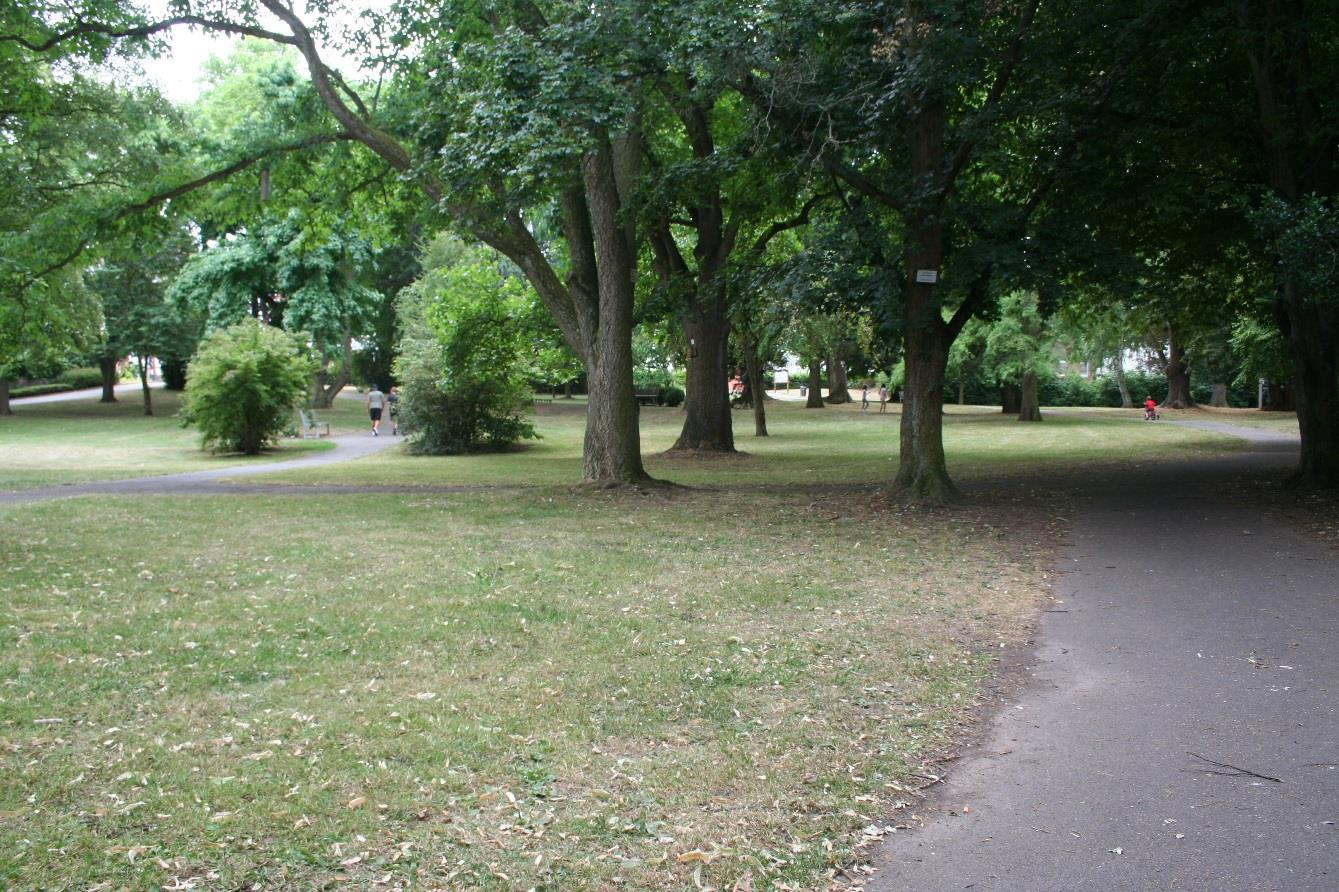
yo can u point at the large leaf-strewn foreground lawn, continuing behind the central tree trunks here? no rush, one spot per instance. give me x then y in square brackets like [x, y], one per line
[550, 688]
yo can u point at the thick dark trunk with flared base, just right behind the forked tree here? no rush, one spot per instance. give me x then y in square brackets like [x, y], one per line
[708, 424]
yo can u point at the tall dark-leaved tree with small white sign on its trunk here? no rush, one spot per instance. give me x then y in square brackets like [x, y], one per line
[970, 113]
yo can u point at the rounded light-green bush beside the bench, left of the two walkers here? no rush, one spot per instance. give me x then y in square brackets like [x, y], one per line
[244, 385]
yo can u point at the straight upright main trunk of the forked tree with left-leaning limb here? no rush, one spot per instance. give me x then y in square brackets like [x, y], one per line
[613, 451]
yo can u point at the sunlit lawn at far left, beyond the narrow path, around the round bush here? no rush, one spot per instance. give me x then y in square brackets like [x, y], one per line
[84, 441]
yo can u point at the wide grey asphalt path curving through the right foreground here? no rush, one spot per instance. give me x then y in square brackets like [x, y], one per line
[1179, 728]
